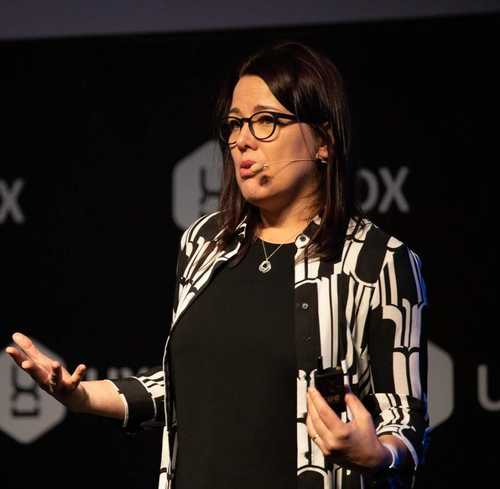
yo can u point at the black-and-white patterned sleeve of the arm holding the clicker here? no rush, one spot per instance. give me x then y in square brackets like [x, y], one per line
[397, 345]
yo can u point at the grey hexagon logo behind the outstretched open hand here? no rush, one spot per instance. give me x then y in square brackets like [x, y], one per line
[26, 411]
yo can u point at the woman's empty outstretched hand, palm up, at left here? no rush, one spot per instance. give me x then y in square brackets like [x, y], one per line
[48, 373]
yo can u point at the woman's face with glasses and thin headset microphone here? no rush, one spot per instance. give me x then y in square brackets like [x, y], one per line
[284, 182]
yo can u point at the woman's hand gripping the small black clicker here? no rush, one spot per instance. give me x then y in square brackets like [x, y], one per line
[354, 445]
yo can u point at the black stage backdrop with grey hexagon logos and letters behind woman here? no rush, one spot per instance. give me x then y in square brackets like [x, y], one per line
[108, 153]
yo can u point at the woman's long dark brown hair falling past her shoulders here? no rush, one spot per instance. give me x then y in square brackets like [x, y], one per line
[309, 85]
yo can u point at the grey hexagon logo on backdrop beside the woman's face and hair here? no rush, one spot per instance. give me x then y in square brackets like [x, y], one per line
[196, 184]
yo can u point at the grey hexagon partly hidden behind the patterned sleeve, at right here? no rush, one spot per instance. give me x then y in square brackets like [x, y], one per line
[441, 384]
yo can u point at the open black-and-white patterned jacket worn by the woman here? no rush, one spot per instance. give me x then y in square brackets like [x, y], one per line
[364, 312]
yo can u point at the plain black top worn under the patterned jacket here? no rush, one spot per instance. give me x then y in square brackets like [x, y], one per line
[234, 373]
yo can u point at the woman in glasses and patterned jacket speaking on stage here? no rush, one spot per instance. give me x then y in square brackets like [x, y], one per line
[284, 273]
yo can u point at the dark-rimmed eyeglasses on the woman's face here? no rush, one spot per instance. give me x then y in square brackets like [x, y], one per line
[262, 125]
